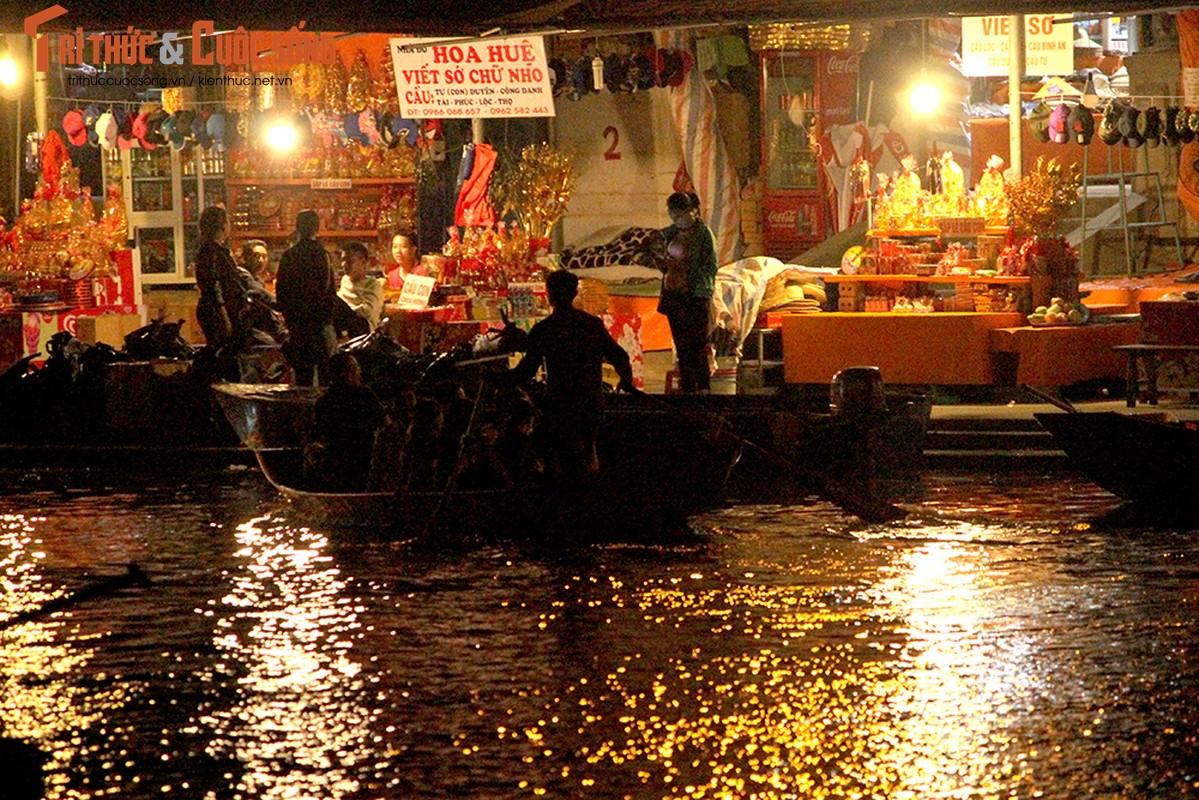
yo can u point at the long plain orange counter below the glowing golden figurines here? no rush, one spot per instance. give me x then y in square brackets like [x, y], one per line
[938, 348]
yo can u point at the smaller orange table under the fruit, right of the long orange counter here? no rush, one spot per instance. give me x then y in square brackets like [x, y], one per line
[1059, 356]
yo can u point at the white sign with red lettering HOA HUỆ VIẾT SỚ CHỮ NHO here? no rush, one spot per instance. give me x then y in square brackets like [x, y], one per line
[485, 79]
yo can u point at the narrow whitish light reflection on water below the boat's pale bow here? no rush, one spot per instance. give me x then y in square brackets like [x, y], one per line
[300, 725]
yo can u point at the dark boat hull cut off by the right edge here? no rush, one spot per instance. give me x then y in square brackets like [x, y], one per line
[1138, 458]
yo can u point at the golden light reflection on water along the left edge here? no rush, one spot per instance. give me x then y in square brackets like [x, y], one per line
[45, 696]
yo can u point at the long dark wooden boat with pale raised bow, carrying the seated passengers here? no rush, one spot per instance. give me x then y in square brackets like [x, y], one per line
[658, 483]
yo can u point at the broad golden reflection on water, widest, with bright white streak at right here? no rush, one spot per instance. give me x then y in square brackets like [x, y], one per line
[877, 676]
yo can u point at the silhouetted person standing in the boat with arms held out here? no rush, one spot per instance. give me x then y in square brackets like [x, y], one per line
[573, 345]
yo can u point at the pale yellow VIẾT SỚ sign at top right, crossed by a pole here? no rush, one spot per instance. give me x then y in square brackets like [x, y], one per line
[1049, 49]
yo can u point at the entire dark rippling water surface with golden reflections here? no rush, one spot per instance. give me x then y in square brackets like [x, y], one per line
[1011, 641]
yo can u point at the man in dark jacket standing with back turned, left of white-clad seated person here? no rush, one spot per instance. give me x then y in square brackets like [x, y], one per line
[306, 294]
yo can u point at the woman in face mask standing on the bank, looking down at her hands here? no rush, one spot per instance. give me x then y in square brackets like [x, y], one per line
[689, 252]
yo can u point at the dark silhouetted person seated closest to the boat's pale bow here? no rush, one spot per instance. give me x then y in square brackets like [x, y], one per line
[348, 417]
